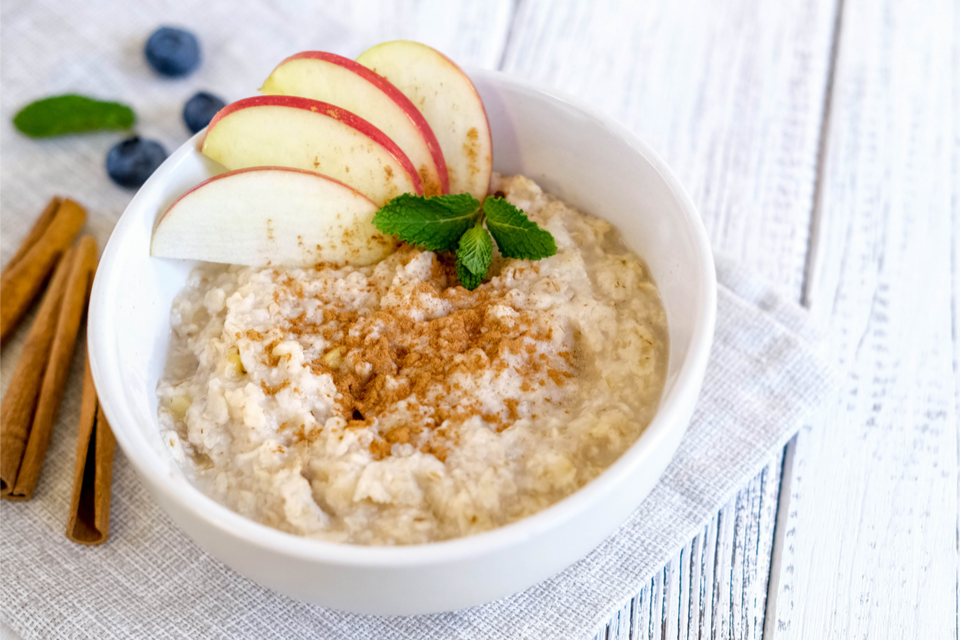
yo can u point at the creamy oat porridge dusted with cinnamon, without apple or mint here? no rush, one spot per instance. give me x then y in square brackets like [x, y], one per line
[387, 405]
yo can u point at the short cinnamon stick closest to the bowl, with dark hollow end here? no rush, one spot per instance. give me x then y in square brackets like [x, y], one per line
[89, 520]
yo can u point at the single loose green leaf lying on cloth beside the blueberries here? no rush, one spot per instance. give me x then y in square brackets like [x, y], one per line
[71, 113]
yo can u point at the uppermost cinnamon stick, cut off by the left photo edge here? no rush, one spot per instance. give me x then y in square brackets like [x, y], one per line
[23, 279]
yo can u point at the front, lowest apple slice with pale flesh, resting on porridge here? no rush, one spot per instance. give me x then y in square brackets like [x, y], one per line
[271, 215]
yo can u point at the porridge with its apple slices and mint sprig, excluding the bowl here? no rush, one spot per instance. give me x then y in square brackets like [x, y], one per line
[377, 351]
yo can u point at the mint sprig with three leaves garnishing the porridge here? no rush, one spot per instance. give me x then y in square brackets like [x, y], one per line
[455, 222]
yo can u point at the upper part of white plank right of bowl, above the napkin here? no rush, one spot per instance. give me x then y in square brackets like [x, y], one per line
[730, 94]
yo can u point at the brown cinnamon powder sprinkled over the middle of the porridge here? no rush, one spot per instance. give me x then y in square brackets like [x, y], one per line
[404, 376]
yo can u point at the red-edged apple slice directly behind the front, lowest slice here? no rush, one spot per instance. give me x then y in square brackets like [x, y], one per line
[289, 131]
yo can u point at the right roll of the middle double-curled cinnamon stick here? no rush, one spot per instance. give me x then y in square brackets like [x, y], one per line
[82, 265]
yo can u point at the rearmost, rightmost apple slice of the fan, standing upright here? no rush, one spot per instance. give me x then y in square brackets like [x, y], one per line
[449, 102]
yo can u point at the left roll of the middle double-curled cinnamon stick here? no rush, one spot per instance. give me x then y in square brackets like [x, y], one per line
[20, 401]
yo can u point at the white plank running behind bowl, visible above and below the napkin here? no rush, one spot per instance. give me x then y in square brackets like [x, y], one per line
[732, 96]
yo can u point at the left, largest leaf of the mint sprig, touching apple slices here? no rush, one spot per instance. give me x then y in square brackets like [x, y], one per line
[434, 223]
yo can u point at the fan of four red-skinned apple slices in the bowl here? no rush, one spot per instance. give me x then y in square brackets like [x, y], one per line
[330, 141]
